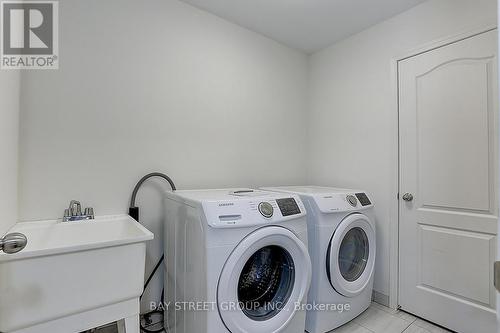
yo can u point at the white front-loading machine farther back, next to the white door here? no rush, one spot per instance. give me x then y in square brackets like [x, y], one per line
[342, 248]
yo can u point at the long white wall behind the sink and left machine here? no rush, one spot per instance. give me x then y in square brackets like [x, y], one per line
[157, 86]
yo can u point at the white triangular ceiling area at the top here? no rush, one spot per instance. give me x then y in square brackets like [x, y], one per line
[308, 25]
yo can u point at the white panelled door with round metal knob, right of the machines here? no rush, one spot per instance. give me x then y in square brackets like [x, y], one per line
[448, 172]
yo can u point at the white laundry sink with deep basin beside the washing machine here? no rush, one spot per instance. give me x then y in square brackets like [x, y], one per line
[73, 276]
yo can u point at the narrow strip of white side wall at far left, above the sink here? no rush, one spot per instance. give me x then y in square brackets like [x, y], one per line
[9, 124]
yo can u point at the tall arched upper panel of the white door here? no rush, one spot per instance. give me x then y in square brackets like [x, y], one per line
[455, 173]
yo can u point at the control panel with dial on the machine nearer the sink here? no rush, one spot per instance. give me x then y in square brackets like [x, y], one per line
[253, 211]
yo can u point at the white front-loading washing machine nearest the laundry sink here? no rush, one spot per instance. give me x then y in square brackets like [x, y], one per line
[236, 261]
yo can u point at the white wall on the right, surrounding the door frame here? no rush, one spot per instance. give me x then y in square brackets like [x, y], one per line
[353, 123]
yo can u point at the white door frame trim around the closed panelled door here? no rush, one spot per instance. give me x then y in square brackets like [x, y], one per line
[395, 215]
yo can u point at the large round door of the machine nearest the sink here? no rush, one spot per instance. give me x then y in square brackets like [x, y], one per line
[263, 280]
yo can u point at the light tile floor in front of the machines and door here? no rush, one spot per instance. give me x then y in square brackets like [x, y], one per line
[377, 319]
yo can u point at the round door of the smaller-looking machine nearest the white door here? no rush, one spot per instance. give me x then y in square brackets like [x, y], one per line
[351, 255]
